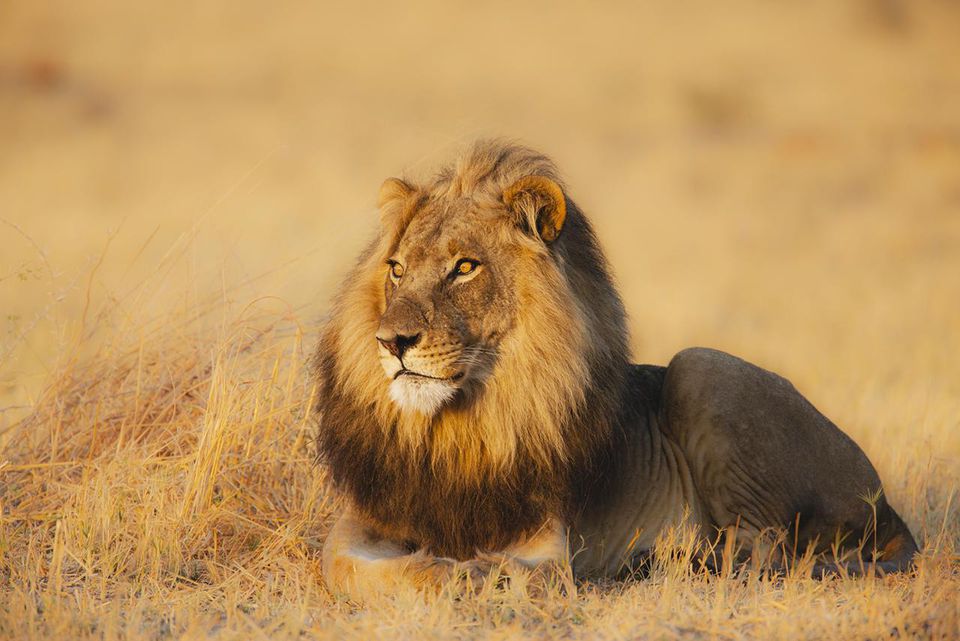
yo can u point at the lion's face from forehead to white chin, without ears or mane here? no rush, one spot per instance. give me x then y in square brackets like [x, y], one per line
[448, 291]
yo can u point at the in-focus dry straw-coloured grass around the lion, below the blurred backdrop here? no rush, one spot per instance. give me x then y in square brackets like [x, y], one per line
[163, 487]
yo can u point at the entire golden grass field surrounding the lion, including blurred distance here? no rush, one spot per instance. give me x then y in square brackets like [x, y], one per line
[183, 184]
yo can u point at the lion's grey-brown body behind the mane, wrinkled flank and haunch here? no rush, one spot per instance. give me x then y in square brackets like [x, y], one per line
[715, 442]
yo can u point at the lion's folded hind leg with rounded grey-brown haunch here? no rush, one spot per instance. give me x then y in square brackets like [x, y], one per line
[762, 456]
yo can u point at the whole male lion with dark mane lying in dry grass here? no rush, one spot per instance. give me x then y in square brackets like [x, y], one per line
[476, 405]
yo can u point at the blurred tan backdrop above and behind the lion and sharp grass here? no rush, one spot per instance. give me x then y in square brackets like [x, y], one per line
[778, 179]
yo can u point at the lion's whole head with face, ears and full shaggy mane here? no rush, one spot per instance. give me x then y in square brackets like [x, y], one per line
[478, 346]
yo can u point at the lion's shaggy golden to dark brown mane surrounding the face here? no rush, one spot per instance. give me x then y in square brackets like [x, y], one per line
[545, 413]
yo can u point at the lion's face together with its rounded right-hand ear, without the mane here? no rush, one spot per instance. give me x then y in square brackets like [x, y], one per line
[450, 289]
